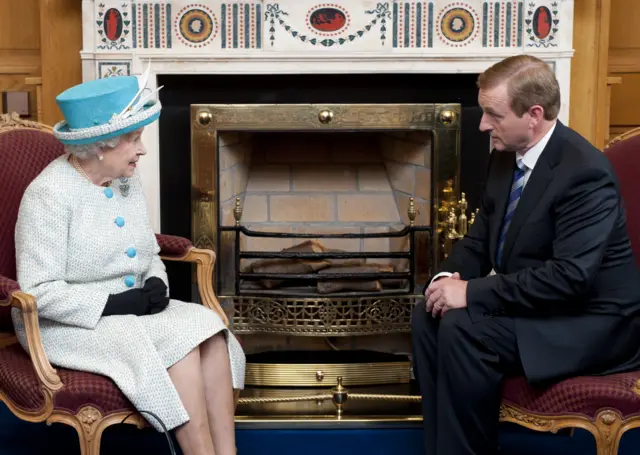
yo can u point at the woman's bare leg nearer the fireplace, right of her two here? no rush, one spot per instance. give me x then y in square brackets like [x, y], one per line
[218, 389]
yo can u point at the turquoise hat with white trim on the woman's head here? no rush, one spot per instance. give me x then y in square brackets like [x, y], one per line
[105, 108]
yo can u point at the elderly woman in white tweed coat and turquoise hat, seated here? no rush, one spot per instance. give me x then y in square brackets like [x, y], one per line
[86, 251]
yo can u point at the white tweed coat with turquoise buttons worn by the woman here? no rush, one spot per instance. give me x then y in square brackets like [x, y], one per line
[75, 245]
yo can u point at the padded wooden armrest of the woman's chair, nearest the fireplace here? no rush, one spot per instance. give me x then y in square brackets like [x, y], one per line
[205, 262]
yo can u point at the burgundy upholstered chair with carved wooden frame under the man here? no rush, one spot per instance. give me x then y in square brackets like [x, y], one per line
[606, 406]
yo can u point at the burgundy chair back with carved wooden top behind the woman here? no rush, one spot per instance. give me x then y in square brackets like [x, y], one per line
[26, 148]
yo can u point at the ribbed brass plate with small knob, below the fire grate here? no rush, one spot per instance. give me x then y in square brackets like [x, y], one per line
[318, 375]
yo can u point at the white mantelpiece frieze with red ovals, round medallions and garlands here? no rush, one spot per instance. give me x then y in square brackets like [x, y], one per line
[451, 26]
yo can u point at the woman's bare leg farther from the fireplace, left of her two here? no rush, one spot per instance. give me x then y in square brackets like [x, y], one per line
[194, 436]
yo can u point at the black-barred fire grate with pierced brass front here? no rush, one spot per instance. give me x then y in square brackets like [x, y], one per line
[298, 309]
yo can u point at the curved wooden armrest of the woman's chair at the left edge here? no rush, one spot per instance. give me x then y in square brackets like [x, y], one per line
[26, 303]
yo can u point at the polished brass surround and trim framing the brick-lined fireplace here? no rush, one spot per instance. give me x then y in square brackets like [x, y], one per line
[379, 315]
